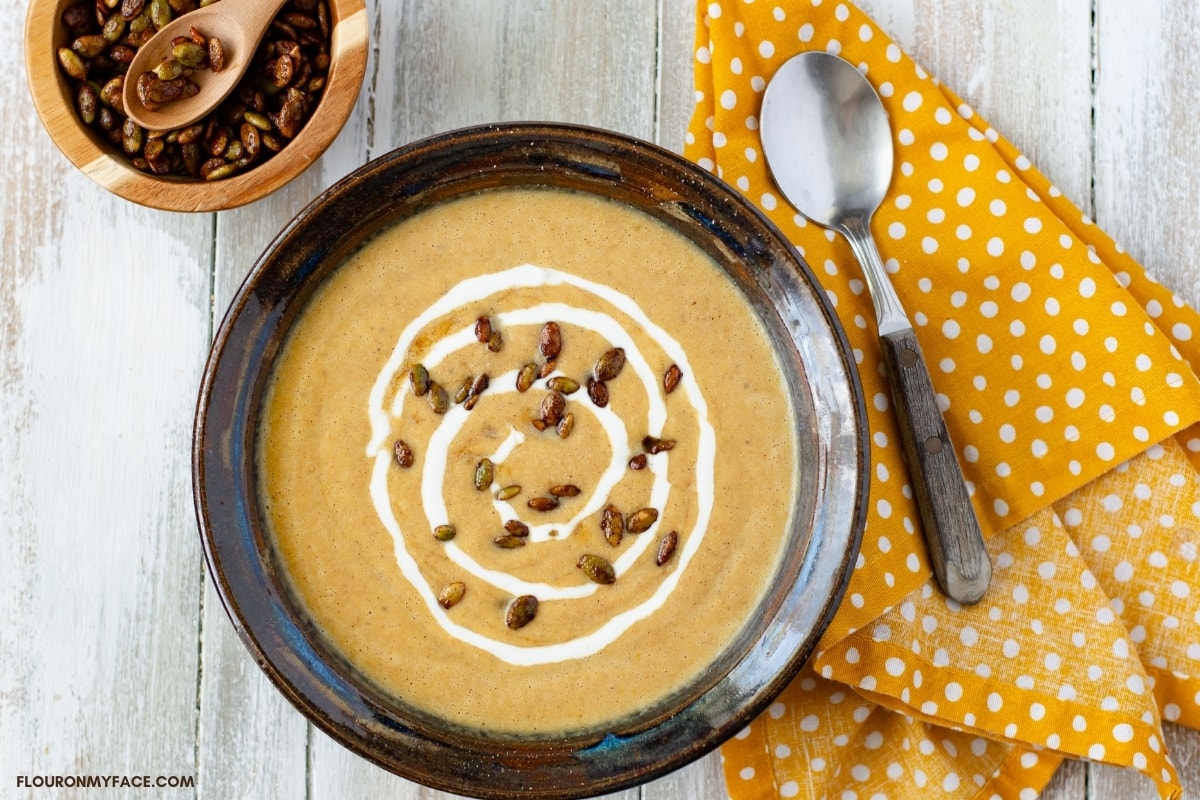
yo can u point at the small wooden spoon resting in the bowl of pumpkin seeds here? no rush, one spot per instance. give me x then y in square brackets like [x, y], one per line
[239, 25]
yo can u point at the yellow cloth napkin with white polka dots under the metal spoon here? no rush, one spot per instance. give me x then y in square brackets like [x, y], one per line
[1067, 376]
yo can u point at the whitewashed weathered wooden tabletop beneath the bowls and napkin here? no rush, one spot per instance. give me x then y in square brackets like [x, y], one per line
[116, 657]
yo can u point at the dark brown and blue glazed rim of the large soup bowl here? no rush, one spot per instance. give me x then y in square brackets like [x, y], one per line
[831, 497]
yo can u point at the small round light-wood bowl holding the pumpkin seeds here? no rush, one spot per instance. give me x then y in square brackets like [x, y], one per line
[100, 161]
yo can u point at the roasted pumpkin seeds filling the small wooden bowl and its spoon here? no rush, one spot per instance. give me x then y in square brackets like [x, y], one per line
[268, 110]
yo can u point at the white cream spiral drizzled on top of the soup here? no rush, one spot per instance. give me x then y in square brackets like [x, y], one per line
[473, 291]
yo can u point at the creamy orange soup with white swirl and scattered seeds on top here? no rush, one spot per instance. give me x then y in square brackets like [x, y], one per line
[530, 461]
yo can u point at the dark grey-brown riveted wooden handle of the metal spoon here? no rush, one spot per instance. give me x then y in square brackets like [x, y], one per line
[952, 531]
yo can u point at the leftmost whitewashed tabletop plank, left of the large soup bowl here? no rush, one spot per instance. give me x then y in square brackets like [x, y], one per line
[104, 311]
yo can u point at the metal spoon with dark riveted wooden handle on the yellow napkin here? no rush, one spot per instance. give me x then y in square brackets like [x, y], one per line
[829, 145]
